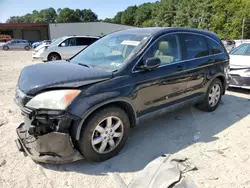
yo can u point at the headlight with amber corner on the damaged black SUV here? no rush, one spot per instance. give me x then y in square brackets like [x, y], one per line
[54, 100]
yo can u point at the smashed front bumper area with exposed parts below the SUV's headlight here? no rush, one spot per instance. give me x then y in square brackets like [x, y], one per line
[45, 138]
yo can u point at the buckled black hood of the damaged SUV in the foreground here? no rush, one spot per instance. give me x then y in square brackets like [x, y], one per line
[59, 74]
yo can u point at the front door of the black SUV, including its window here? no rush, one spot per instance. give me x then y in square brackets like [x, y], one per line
[165, 86]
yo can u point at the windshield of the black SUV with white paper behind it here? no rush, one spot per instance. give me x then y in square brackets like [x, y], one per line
[112, 51]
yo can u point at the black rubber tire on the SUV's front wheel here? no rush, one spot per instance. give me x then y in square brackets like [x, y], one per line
[86, 144]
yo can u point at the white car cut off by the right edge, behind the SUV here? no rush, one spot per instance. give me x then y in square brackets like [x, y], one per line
[240, 66]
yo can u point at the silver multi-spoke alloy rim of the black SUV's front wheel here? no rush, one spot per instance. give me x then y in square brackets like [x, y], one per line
[107, 135]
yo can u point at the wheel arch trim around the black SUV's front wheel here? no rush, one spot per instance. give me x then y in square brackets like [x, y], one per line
[123, 104]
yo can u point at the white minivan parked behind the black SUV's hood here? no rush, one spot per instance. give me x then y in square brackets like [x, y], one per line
[63, 48]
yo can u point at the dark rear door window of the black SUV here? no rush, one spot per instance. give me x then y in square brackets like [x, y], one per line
[196, 46]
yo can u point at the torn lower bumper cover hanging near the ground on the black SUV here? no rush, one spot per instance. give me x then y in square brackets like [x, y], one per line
[53, 147]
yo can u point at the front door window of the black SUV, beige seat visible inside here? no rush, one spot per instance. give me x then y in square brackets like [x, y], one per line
[167, 49]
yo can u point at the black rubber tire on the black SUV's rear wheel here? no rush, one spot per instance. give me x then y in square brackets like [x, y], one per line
[207, 105]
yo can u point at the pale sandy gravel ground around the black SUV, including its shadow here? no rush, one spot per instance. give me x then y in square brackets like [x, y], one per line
[217, 143]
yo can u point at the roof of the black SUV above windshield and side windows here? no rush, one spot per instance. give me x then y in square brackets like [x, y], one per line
[162, 30]
